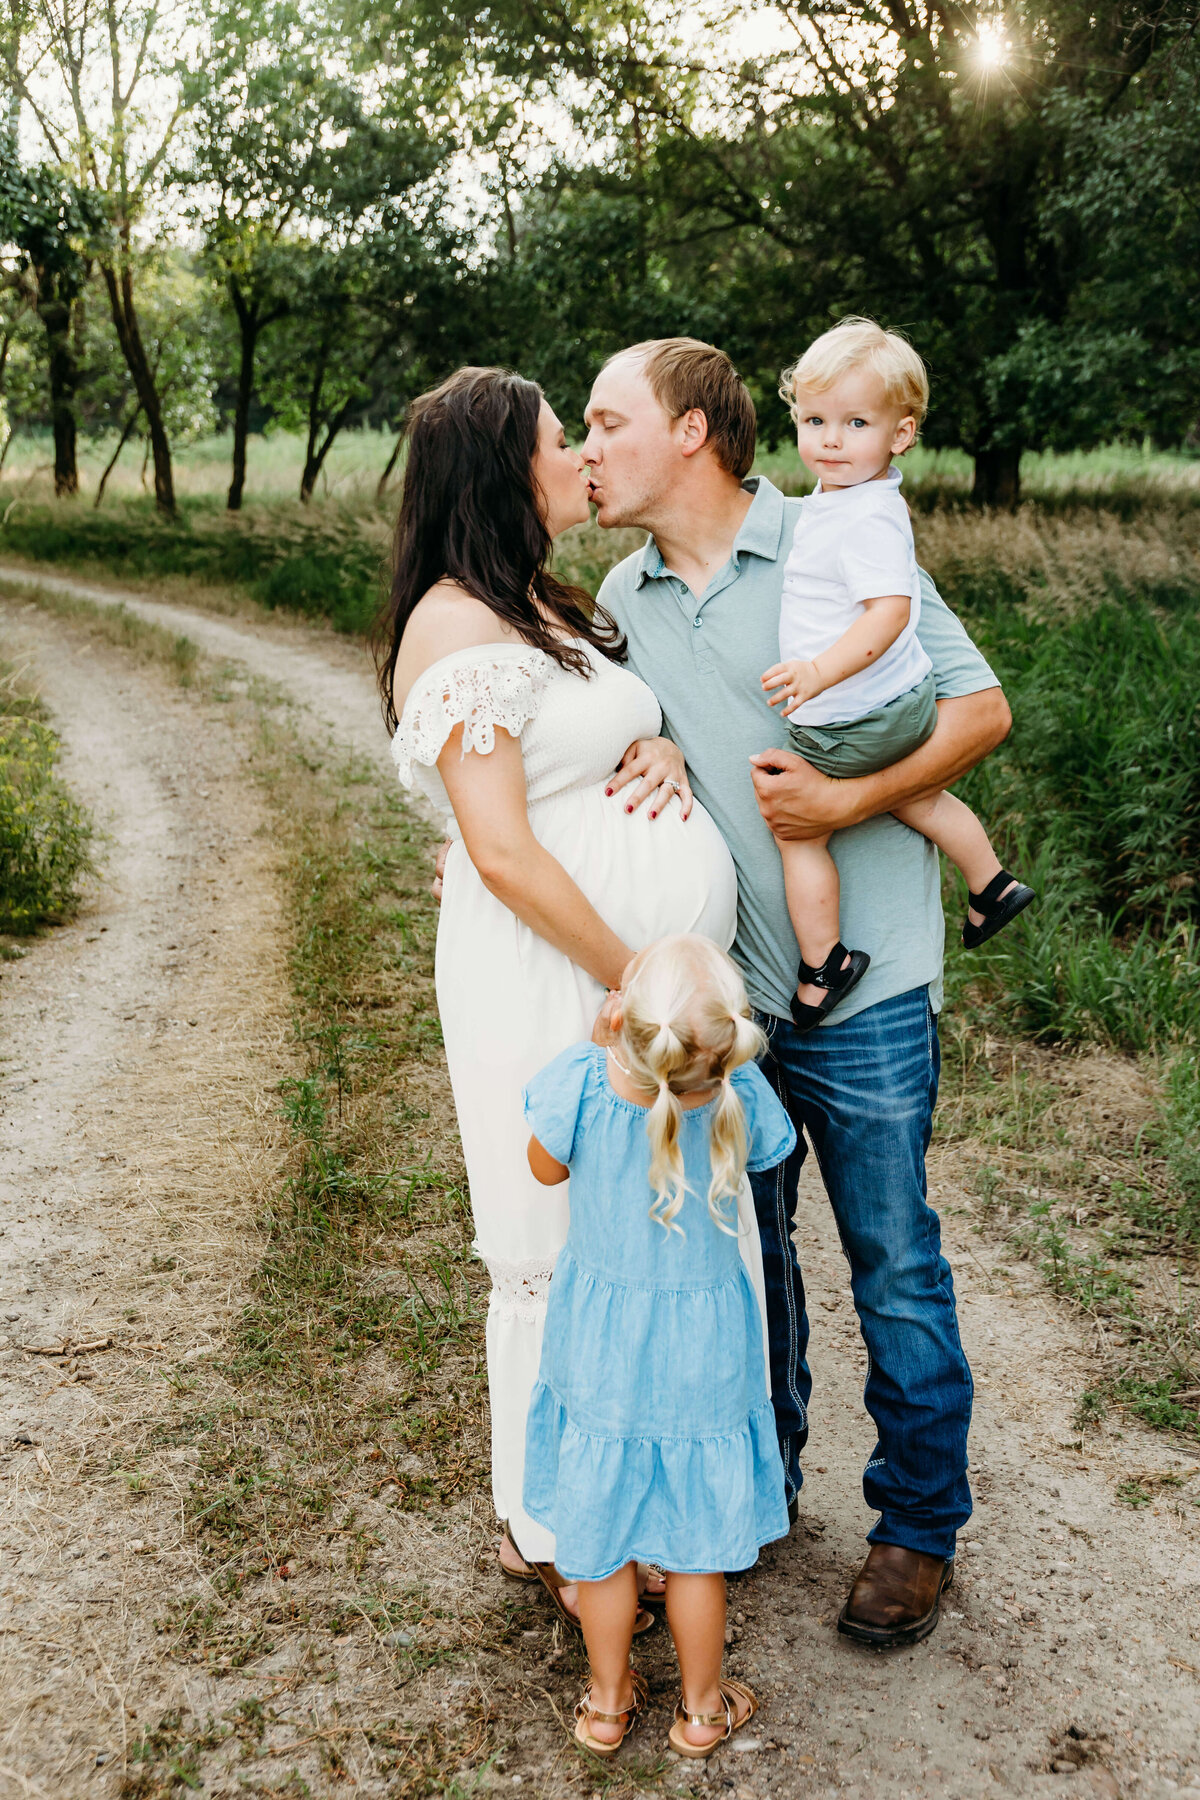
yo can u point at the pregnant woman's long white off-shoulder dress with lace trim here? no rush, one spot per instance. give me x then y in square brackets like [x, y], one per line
[508, 1000]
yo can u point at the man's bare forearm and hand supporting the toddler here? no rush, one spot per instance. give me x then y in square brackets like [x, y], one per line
[798, 802]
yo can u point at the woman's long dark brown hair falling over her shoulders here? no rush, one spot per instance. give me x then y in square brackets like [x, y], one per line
[470, 512]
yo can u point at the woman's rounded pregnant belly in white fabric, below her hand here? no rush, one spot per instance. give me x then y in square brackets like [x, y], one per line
[645, 877]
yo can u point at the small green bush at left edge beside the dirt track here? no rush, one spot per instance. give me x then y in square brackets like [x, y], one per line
[44, 832]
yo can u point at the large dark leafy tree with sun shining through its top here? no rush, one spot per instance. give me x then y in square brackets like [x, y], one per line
[877, 156]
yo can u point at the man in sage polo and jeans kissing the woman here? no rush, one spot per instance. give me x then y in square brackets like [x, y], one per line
[670, 444]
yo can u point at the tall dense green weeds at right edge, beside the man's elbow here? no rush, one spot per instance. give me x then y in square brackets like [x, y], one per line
[1097, 800]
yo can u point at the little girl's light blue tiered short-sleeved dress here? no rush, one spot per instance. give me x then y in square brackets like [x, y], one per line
[650, 1435]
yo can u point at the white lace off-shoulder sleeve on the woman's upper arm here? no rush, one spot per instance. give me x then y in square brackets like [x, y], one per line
[479, 696]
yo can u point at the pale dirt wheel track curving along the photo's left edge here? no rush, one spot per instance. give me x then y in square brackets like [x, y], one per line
[141, 1050]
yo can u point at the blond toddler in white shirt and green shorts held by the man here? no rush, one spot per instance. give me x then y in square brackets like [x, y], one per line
[855, 685]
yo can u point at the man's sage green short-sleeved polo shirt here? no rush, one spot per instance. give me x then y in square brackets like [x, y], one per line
[704, 661]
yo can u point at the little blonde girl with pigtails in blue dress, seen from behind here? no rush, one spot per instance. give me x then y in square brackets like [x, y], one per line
[650, 1432]
